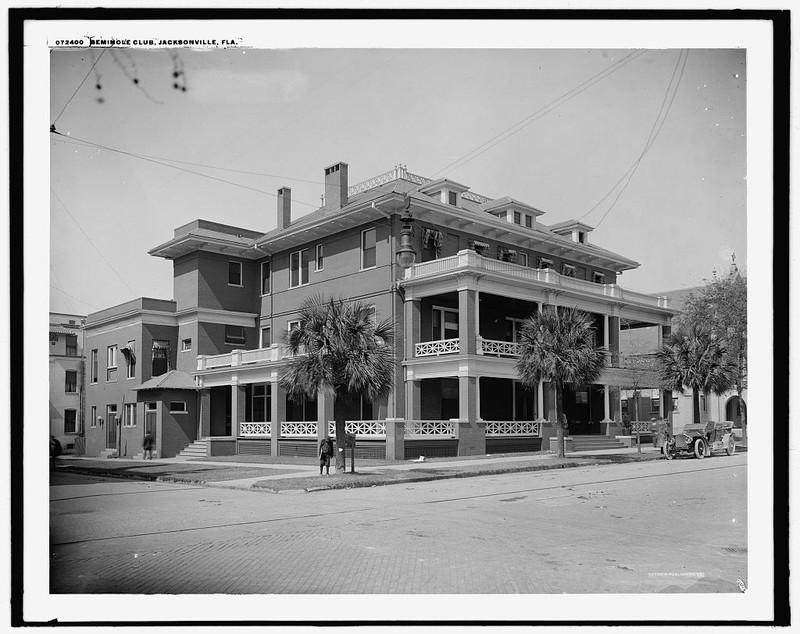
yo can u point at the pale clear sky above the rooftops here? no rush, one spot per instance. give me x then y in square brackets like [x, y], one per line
[252, 120]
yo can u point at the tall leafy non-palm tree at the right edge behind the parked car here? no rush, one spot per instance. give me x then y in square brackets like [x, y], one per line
[722, 304]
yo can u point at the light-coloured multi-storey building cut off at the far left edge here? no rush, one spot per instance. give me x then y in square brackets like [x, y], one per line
[66, 379]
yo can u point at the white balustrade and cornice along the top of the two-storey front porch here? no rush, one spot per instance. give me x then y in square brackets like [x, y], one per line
[470, 261]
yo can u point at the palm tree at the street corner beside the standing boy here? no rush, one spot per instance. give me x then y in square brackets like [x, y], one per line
[339, 349]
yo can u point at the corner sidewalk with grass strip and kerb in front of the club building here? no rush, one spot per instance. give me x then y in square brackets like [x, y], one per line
[303, 475]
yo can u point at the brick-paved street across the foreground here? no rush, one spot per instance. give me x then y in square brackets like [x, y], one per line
[661, 526]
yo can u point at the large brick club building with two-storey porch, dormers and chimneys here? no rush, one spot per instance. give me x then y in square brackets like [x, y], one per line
[483, 266]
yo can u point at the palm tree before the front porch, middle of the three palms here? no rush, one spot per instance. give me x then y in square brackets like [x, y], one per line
[557, 346]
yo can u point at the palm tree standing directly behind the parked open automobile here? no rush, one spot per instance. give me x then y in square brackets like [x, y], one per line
[694, 357]
